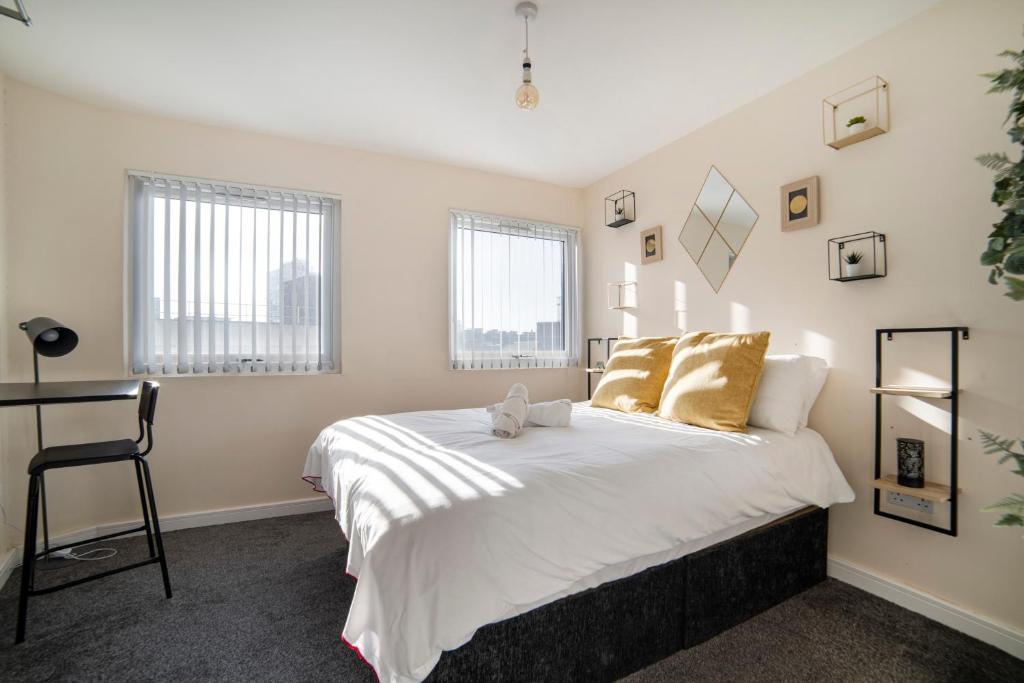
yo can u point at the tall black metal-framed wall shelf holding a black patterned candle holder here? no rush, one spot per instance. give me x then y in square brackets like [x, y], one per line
[936, 493]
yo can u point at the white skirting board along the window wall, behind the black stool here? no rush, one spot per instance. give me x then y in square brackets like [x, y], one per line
[175, 523]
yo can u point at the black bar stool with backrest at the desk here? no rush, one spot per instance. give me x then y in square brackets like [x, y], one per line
[94, 454]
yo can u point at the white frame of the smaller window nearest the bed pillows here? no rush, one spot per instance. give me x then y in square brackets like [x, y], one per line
[572, 278]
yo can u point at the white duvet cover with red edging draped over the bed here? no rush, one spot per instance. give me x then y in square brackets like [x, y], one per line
[451, 529]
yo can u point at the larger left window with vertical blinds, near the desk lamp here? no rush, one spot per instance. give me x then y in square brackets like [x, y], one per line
[231, 279]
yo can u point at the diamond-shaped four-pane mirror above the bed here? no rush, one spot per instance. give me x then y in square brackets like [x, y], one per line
[717, 228]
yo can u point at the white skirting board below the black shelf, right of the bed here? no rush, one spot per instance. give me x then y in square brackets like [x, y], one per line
[1004, 637]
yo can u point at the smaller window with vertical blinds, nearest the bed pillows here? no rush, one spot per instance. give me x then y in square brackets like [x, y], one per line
[514, 290]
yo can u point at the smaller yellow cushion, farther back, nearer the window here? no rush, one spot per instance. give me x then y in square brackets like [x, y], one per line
[635, 374]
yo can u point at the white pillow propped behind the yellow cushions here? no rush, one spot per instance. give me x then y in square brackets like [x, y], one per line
[789, 388]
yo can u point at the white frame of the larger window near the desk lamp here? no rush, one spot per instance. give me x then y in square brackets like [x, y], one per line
[129, 277]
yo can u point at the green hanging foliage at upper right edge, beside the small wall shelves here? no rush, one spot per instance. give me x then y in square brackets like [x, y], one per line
[1005, 252]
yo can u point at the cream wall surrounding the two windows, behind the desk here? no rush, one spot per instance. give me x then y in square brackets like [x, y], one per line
[227, 442]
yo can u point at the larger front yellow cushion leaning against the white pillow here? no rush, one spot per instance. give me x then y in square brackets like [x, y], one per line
[713, 379]
